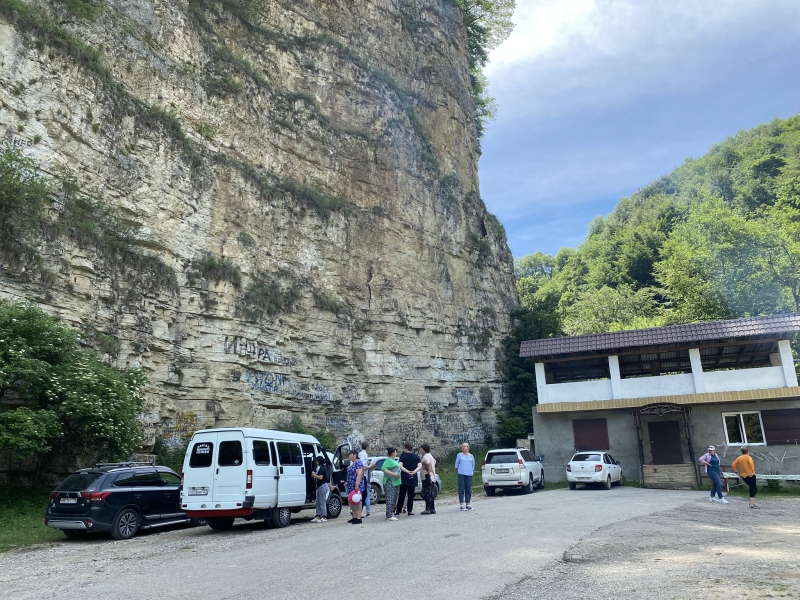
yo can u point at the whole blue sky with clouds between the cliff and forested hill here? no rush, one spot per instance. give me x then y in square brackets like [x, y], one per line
[599, 97]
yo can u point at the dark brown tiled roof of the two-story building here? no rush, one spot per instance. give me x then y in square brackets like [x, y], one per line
[658, 336]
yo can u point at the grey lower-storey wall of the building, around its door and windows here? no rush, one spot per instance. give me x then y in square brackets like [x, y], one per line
[554, 438]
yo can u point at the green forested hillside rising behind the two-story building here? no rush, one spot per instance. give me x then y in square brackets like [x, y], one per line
[717, 238]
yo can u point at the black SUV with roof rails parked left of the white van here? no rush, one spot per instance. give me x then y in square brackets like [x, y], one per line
[120, 498]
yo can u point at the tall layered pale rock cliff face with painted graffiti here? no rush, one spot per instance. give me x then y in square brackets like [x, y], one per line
[302, 176]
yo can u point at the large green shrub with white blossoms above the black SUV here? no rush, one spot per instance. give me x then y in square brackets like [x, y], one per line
[59, 400]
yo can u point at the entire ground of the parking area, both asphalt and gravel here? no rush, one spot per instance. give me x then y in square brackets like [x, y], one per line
[622, 543]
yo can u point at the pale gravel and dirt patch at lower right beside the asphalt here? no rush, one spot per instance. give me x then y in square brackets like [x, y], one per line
[701, 550]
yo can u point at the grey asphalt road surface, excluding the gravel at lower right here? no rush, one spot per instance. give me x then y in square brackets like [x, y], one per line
[450, 555]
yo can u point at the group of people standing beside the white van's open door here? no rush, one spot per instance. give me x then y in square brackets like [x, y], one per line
[399, 482]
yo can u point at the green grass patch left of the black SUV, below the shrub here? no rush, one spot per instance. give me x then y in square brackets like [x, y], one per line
[22, 518]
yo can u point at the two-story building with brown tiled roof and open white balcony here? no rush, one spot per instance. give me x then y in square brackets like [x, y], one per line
[656, 398]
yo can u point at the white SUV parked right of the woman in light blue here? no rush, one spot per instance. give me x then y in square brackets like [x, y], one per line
[511, 468]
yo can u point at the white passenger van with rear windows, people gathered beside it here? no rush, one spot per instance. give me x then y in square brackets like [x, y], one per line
[252, 474]
